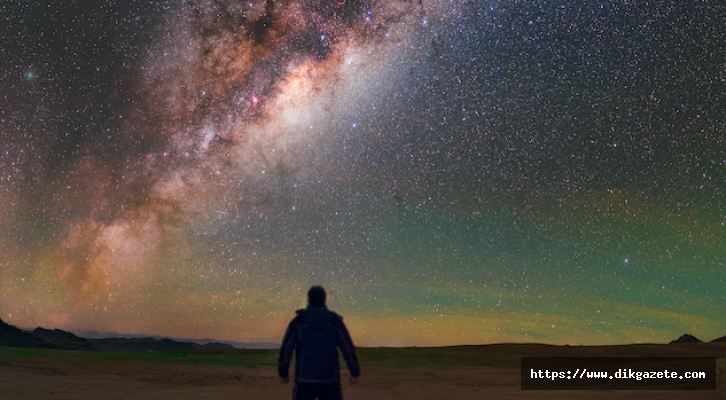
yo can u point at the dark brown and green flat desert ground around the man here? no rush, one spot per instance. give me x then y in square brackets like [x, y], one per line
[460, 372]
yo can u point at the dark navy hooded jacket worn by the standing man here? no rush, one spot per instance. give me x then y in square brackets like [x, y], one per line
[314, 335]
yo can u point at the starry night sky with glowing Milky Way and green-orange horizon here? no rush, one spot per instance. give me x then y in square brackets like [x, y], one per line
[452, 172]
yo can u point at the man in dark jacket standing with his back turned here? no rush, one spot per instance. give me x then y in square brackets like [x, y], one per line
[315, 334]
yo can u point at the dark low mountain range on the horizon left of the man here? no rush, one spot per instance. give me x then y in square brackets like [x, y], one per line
[12, 336]
